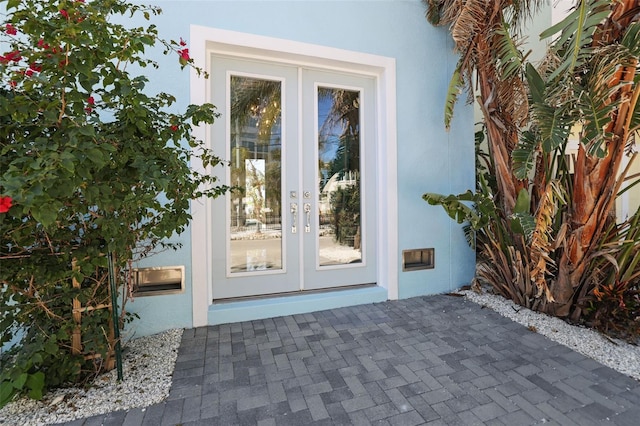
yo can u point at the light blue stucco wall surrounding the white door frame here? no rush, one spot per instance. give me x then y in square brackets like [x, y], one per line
[429, 158]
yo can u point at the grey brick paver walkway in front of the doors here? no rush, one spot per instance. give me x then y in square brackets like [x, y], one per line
[437, 360]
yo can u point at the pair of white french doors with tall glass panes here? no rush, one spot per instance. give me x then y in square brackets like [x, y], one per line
[301, 149]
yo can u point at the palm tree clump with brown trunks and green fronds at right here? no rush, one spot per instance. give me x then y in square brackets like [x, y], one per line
[551, 224]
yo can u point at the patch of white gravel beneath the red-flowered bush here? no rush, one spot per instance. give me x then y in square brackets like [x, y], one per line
[147, 365]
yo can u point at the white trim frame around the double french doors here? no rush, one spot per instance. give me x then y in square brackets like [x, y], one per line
[203, 42]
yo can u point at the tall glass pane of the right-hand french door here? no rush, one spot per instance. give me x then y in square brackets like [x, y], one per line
[338, 144]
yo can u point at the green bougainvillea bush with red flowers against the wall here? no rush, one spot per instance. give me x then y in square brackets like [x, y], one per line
[90, 165]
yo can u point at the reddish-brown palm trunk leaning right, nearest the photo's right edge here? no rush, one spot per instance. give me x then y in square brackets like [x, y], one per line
[595, 181]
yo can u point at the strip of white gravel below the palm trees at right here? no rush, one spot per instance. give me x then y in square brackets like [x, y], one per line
[614, 353]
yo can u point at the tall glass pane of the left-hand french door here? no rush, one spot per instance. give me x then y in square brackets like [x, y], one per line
[255, 146]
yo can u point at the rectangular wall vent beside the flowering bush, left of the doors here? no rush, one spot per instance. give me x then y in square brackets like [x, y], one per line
[158, 280]
